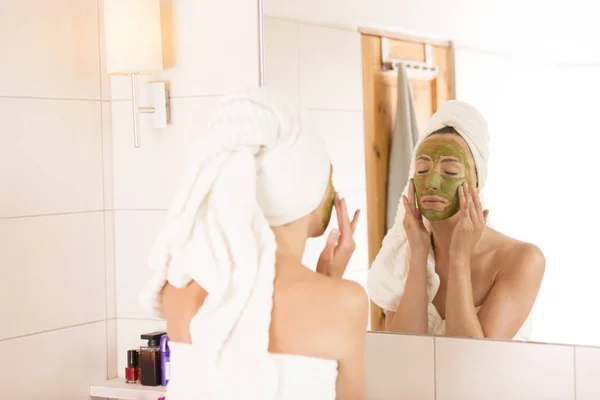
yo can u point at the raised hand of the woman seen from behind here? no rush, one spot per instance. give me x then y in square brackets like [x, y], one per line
[340, 243]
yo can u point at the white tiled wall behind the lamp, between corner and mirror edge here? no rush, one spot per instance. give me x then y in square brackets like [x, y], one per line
[209, 50]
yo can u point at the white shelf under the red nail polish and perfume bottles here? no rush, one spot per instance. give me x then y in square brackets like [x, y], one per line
[118, 389]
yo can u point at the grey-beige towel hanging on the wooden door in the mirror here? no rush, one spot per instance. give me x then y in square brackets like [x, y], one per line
[403, 141]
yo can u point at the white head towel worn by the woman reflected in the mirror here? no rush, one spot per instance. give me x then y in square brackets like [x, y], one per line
[388, 273]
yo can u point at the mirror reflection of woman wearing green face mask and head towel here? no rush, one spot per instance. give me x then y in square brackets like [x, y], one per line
[441, 270]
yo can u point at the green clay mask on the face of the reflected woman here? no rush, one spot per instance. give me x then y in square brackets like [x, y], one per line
[438, 177]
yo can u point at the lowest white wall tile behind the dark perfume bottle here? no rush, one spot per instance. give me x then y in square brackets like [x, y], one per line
[128, 337]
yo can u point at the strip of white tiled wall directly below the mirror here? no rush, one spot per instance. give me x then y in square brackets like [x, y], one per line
[427, 368]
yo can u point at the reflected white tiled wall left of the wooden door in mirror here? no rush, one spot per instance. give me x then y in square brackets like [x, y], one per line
[320, 68]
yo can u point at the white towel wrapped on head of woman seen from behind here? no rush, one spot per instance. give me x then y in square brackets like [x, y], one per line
[253, 168]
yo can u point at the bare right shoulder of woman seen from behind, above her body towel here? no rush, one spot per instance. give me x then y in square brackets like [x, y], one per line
[316, 315]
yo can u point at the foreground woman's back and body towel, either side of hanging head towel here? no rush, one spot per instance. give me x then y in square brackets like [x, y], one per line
[317, 334]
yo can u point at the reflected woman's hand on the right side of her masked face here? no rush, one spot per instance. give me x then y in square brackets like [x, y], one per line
[470, 225]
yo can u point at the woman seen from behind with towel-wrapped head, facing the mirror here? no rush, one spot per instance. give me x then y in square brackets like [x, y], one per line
[245, 318]
